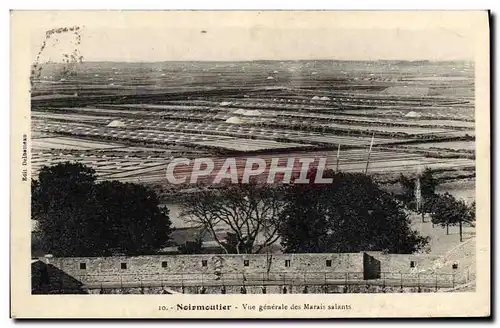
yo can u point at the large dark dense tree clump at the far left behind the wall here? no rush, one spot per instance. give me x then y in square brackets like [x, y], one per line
[79, 217]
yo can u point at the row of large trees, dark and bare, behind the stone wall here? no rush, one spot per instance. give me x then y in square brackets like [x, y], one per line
[79, 217]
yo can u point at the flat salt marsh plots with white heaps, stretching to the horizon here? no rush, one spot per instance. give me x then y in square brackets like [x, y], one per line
[129, 120]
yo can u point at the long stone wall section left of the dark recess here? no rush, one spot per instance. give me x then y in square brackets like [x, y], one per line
[206, 267]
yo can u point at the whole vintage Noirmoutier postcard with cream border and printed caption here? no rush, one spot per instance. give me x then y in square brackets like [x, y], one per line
[246, 164]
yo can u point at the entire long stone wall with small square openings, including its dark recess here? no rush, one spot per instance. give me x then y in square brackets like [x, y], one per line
[254, 270]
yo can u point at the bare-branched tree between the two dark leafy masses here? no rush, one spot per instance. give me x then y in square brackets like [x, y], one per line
[247, 211]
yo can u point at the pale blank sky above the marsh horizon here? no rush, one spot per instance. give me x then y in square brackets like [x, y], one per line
[211, 40]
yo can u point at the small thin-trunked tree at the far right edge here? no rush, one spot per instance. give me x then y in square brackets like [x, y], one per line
[449, 211]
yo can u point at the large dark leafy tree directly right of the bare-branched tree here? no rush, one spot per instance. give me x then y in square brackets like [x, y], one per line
[351, 214]
